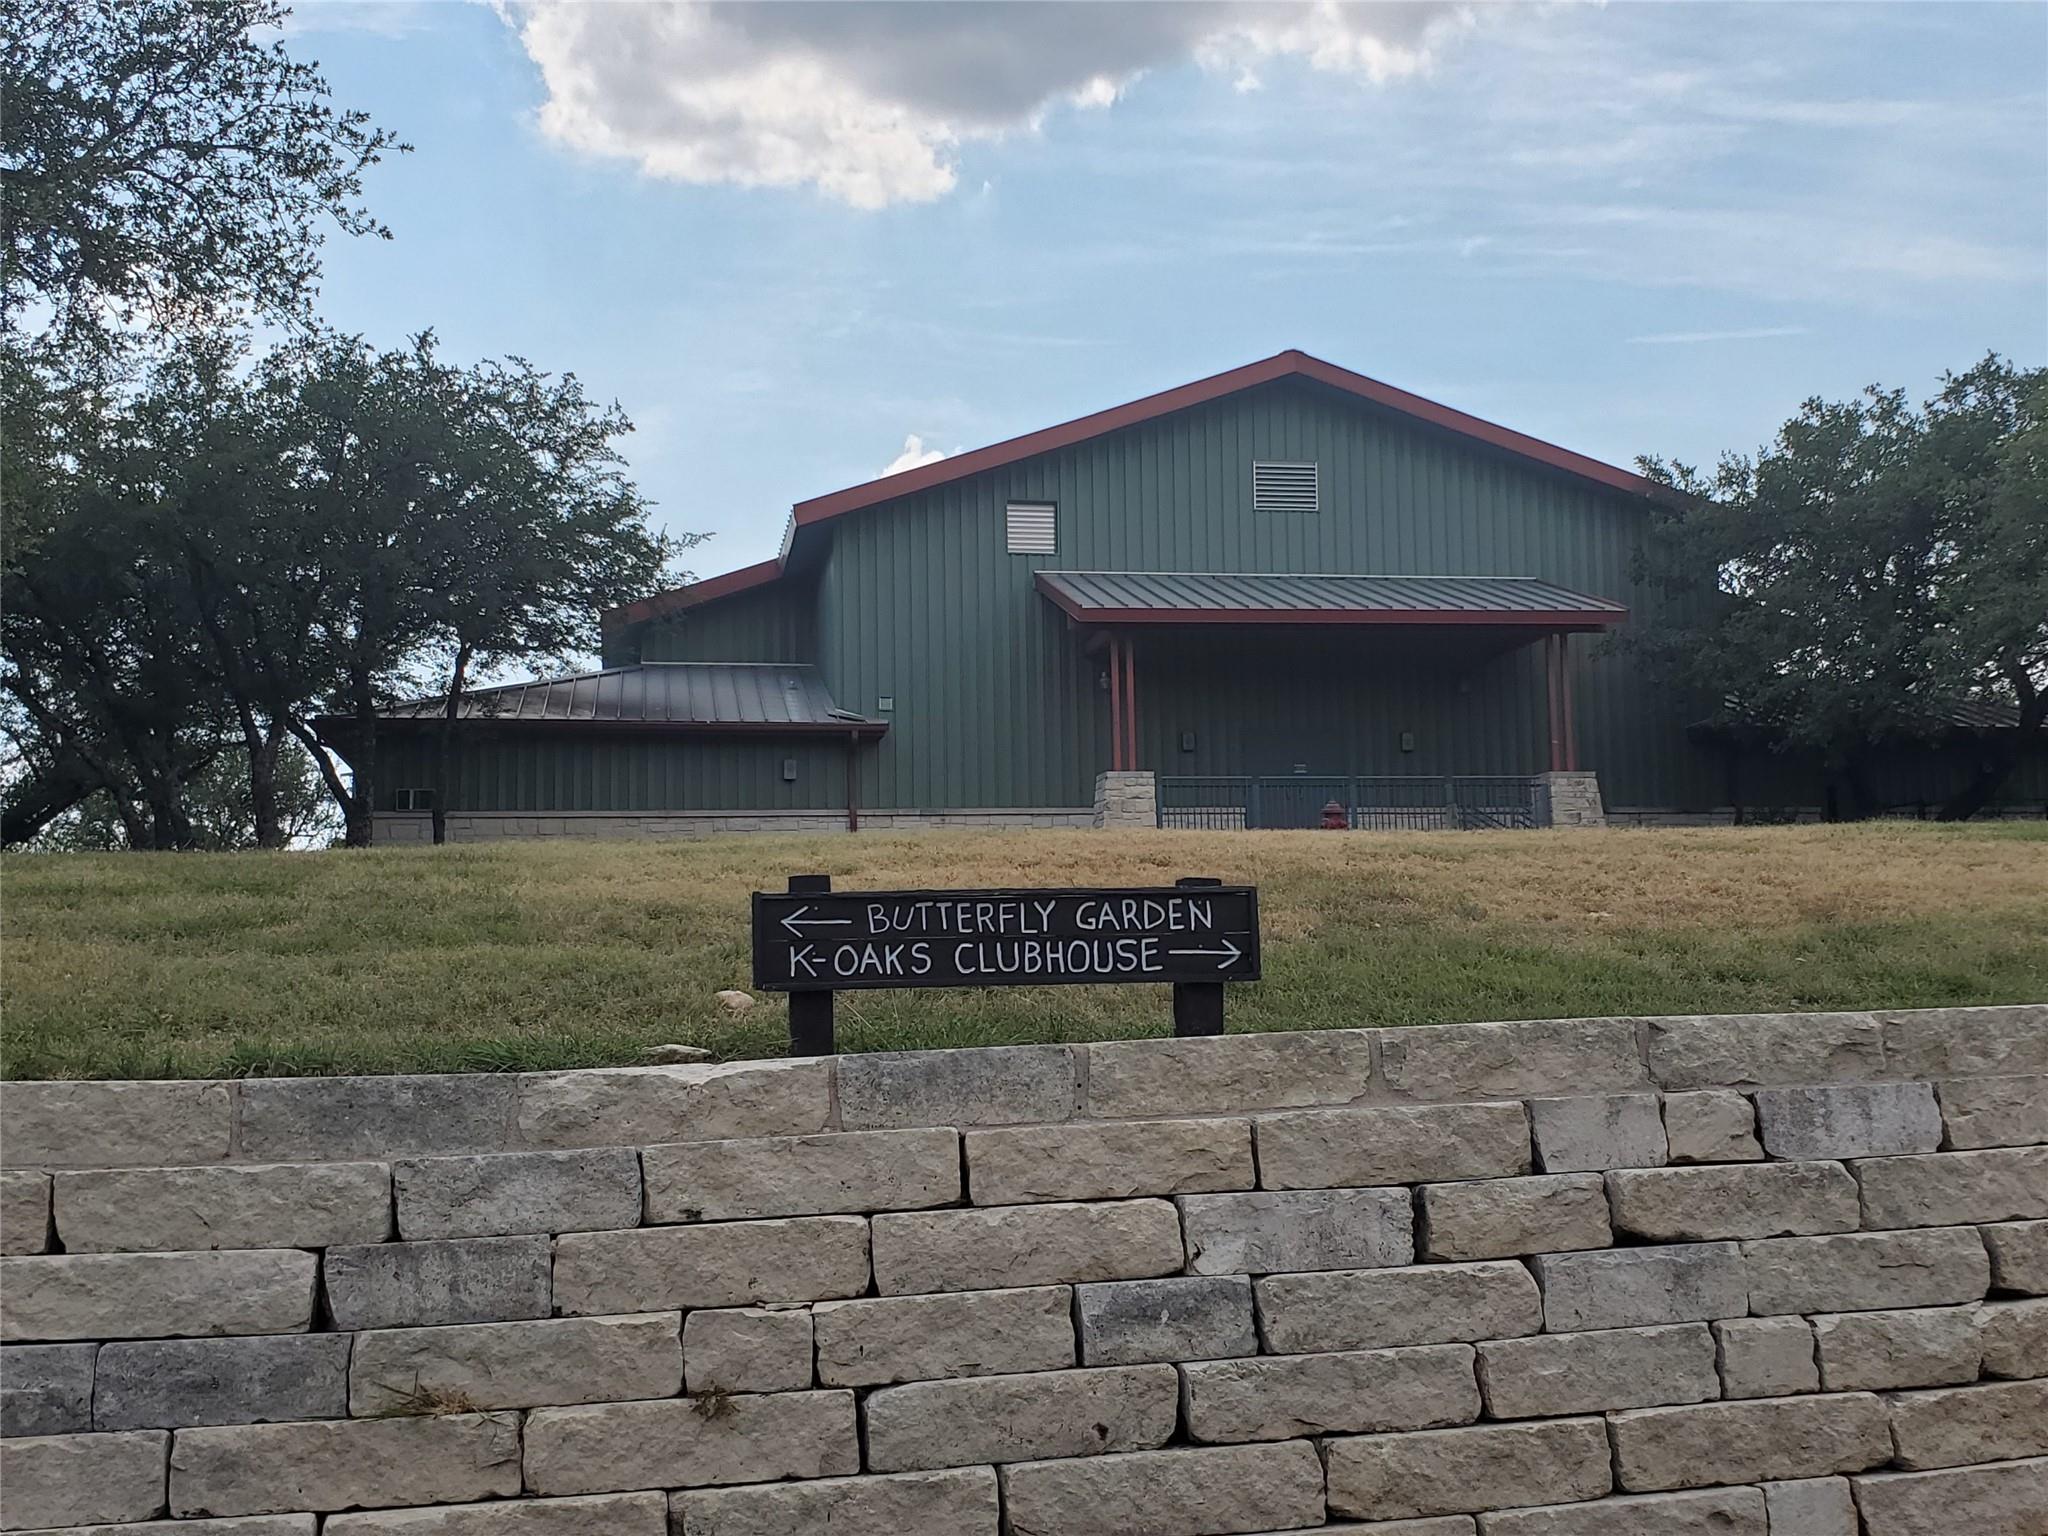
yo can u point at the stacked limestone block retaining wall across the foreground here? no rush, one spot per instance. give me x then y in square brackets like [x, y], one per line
[1758, 1277]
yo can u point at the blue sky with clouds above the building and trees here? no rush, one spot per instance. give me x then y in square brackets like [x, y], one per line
[804, 245]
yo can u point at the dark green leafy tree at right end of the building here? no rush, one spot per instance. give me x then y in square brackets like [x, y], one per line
[1869, 577]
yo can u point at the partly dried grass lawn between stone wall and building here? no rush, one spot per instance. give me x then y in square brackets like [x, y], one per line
[556, 955]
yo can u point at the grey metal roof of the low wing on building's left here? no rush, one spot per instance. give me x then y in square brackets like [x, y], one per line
[671, 695]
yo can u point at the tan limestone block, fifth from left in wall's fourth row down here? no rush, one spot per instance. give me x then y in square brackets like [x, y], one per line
[962, 1334]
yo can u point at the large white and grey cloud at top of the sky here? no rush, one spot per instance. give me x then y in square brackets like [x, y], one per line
[869, 101]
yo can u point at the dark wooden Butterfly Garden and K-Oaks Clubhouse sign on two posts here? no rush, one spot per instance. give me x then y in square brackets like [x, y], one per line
[812, 943]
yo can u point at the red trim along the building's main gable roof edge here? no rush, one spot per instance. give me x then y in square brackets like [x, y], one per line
[1283, 366]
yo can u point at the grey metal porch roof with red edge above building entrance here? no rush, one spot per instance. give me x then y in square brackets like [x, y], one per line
[1302, 599]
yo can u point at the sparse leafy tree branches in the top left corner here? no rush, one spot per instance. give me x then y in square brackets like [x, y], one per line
[161, 165]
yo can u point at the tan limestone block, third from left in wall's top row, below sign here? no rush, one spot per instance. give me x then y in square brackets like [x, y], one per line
[708, 1101]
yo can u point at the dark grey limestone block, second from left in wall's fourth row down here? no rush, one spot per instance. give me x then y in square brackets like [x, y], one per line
[183, 1383]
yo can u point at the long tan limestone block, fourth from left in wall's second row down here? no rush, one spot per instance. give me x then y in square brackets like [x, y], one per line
[804, 1177]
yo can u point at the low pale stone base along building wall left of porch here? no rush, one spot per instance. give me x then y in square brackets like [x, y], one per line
[495, 826]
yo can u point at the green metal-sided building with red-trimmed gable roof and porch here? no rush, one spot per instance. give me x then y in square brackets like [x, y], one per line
[1236, 603]
